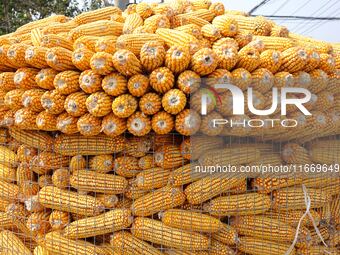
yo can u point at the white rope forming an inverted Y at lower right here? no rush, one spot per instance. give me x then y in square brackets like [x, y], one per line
[307, 212]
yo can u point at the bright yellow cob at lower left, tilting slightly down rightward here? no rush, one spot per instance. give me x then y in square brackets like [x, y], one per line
[69, 201]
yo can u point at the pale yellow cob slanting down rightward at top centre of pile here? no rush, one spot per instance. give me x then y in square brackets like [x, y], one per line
[175, 37]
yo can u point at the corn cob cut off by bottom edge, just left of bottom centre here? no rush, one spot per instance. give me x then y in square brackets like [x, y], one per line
[124, 242]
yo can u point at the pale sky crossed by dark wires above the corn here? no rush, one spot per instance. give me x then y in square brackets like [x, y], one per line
[322, 30]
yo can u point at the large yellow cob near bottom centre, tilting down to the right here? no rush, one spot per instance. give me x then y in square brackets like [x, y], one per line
[157, 232]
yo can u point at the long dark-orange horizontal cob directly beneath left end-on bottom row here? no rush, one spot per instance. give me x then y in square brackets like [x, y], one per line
[75, 144]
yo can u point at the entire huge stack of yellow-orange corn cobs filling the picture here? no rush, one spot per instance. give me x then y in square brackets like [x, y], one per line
[73, 181]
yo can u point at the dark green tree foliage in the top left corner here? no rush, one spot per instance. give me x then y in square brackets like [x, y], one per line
[15, 13]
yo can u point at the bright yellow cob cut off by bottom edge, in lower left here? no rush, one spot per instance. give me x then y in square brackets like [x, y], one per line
[56, 243]
